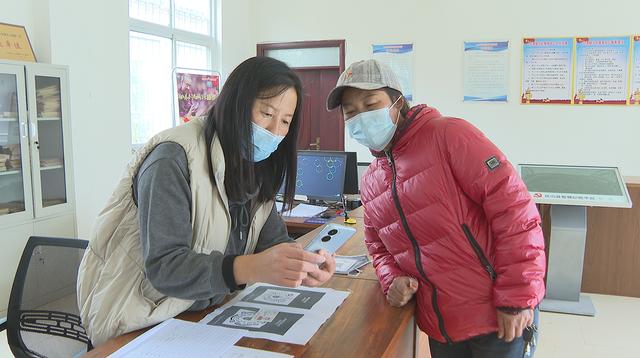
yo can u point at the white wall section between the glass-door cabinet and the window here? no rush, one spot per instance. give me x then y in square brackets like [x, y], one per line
[92, 38]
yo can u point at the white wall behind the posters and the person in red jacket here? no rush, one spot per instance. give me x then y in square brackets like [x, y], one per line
[571, 135]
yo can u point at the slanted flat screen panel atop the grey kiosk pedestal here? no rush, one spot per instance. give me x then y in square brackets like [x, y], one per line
[575, 185]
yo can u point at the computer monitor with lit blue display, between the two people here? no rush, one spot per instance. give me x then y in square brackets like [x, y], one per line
[321, 175]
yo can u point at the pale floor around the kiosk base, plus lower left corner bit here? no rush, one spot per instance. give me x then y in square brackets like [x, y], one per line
[612, 333]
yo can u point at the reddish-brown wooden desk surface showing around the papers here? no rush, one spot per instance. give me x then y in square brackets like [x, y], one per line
[365, 325]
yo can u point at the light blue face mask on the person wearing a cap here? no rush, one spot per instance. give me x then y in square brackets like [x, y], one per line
[373, 129]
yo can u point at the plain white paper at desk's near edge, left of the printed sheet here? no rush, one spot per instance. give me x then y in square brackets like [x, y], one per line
[177, 338]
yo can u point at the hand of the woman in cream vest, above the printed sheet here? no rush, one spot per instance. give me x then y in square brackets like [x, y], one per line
[285, 264]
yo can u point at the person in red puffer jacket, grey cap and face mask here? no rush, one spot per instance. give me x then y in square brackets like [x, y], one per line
[447, 218]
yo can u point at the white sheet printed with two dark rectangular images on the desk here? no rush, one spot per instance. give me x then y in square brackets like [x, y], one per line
[281, 314]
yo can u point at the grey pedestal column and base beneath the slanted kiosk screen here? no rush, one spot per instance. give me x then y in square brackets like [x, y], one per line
[566, 259]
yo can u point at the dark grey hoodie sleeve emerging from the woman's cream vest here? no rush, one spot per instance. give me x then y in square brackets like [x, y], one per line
[163, 197]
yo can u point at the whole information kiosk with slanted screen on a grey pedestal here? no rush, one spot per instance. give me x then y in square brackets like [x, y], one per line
[570, 190]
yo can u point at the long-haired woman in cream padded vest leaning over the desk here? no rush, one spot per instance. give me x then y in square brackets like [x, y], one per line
[193, 219]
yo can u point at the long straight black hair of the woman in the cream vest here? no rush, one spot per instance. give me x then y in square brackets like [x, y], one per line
[230, 119]
